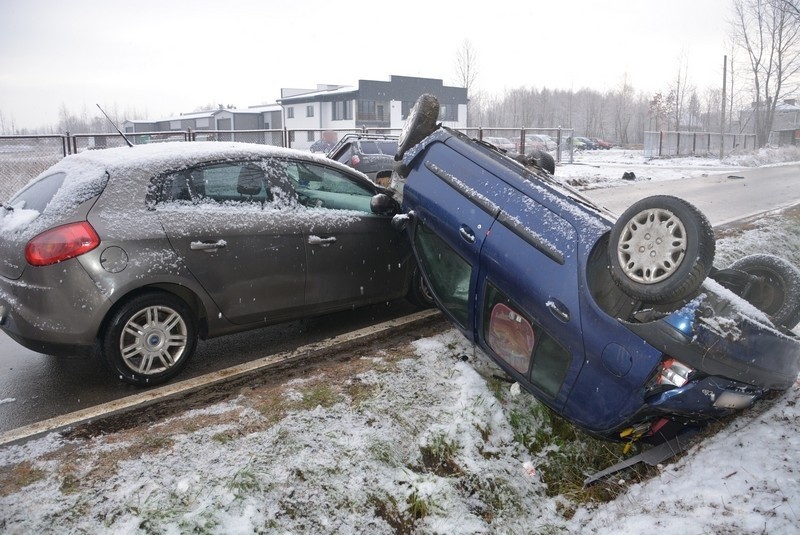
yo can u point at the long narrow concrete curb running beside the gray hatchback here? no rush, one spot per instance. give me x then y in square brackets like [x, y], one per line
[182, 388]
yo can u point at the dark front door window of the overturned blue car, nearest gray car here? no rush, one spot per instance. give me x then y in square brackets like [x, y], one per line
[448, 272]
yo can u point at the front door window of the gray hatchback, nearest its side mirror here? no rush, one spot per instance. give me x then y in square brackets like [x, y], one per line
[319, 186]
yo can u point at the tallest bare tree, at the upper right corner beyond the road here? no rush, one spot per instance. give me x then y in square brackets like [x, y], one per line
[769, 33]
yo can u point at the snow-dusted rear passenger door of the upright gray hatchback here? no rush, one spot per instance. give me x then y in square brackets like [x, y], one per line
[232, 224]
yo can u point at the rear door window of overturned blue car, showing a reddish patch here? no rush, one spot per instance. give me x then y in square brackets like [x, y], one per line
[519, 341]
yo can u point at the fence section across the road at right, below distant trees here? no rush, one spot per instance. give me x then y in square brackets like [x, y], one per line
[659, 144]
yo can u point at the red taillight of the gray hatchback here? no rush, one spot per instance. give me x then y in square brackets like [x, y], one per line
[61, 243]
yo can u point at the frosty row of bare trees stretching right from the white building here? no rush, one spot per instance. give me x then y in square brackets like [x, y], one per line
[763, 59]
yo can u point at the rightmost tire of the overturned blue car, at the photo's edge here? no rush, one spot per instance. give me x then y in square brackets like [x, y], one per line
[777, 293]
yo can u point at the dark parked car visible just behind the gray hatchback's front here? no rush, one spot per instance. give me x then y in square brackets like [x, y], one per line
[372, 154]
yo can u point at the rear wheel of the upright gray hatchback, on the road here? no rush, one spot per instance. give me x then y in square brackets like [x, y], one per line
[149, 339]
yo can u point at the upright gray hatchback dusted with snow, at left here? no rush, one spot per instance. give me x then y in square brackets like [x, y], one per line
[139, 251]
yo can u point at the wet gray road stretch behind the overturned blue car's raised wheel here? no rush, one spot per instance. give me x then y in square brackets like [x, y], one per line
[721, 198]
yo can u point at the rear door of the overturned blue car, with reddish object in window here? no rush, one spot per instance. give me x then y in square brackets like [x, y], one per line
[529, 304]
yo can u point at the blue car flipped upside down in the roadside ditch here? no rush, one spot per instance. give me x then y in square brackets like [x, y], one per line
[621, 325]
